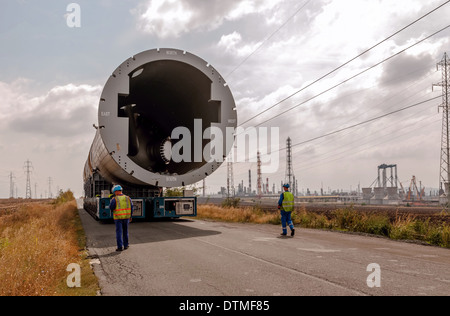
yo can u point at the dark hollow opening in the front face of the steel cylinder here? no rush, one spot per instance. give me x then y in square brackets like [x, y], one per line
[165, 95]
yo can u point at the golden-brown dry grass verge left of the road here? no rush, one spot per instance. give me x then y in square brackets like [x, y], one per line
[37, 243]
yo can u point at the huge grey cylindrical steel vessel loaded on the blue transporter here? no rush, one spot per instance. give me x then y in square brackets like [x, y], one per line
[148, 97]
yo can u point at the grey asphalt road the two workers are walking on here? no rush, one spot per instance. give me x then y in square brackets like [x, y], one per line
[202, 258]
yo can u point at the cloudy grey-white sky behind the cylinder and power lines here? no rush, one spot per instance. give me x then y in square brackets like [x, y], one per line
[51, 77]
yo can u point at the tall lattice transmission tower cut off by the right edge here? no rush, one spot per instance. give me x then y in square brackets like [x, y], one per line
[445, 145]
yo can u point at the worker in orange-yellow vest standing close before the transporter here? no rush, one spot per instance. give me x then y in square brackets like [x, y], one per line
[122, 208]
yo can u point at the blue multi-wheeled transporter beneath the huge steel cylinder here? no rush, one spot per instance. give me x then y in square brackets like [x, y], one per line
[146, 208]
